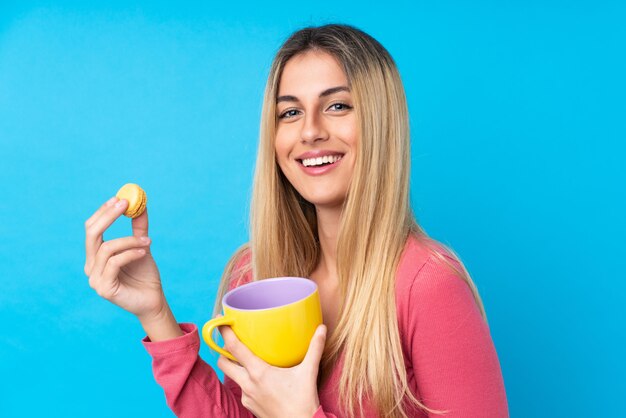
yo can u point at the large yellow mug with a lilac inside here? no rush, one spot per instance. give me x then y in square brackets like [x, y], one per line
[275, 318]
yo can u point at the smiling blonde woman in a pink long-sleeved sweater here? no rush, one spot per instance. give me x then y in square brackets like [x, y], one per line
[405, 332]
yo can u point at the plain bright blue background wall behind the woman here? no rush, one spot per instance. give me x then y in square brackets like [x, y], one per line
[518, 128]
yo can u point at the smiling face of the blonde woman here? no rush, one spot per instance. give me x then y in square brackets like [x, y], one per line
[317, 133]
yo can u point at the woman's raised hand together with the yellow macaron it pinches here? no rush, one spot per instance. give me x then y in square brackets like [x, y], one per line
[122, 270]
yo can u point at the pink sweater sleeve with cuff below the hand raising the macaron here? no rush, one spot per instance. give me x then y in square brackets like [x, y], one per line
[191, 386]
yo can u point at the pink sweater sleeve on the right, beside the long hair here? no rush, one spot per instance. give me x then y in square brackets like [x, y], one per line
[454, 359]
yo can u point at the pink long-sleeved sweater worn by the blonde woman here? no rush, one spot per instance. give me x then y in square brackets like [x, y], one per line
[450, 358]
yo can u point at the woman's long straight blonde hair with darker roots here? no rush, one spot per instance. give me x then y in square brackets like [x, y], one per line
[376, 221]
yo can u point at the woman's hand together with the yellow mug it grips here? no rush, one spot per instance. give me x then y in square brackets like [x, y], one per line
[273, 342]
